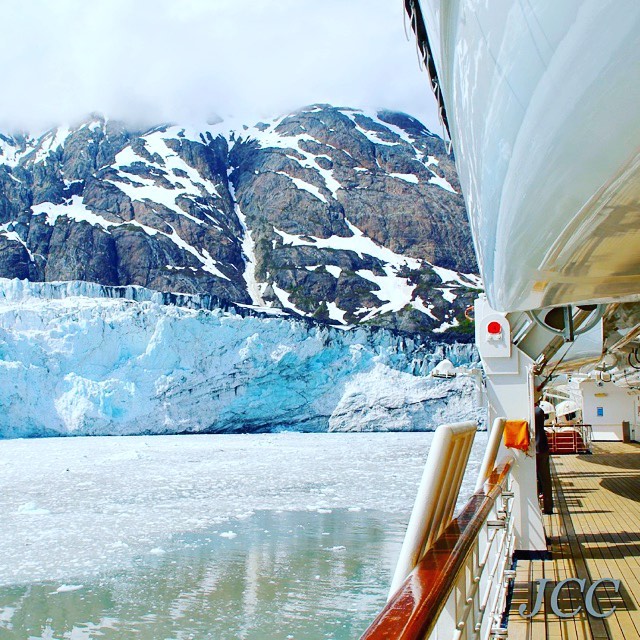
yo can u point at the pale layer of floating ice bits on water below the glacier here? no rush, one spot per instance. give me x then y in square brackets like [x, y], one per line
[78, 507]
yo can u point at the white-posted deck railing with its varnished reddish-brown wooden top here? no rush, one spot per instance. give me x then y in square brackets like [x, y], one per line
[458, 588]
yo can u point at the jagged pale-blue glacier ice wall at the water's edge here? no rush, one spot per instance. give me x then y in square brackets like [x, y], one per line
[74, 362]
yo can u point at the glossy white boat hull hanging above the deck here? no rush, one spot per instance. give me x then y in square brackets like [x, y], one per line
[542, 100]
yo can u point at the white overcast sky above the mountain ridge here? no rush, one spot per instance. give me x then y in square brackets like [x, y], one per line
[151, 61]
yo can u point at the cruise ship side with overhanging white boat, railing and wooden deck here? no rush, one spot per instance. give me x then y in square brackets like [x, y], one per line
[540, 100]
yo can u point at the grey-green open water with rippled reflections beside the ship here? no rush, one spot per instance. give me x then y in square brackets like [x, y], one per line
[290, 575]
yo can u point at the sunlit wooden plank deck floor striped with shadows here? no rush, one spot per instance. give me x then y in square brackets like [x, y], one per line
[594, 533]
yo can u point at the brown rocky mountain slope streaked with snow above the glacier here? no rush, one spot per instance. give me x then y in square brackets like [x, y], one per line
[328, 213]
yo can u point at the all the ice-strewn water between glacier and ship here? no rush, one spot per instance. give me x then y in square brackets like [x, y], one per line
[203, 537]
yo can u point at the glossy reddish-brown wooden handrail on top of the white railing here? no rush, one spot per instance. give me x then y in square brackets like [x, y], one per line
[413, 611]
